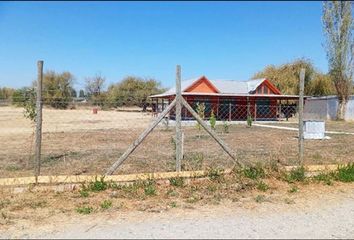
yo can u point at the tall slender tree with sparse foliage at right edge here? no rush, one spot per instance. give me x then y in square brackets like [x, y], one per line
[338, 26]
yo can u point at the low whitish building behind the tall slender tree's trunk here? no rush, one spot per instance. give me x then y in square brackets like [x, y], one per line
[325, 108]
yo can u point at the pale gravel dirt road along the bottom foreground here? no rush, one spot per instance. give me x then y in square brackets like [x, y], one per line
[324, 216]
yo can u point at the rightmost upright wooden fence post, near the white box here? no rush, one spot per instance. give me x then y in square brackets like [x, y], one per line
[301, 116]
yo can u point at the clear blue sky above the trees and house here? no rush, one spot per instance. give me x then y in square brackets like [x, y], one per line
[221, 40]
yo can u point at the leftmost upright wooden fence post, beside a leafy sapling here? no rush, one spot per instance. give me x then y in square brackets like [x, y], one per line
[37, 170]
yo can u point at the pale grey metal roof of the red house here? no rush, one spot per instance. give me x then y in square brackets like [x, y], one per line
[224, 87]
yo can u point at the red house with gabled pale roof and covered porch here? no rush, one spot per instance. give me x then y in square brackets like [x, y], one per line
[231, 100]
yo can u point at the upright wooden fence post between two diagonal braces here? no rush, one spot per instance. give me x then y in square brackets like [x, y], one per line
[178, 119]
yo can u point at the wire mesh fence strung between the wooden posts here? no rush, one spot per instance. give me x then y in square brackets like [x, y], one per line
[86, 137]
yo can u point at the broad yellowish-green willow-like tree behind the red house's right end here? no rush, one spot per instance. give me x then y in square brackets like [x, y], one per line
[286, 76]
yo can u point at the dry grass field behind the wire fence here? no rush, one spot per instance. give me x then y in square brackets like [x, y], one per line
[80, 142]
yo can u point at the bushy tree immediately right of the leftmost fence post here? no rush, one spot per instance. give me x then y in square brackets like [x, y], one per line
[57, 89]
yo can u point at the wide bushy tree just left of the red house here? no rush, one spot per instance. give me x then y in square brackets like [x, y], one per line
[133, 91]
